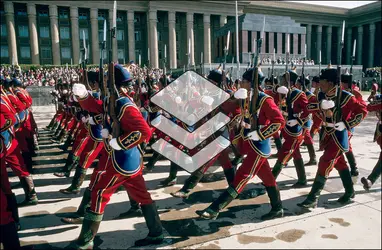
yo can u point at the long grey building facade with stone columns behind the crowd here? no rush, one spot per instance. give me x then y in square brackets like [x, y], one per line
[52, 32]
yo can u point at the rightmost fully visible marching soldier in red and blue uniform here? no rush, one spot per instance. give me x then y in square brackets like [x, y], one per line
[335, 139]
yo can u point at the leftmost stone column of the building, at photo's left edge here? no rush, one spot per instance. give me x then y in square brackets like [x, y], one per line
[10, 20]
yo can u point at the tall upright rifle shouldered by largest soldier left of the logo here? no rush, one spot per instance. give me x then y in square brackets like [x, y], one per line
[111, 83]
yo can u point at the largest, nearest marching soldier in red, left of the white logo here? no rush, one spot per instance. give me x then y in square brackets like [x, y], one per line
[122, 164]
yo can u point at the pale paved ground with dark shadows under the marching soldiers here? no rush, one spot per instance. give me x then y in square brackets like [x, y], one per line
[357, 225]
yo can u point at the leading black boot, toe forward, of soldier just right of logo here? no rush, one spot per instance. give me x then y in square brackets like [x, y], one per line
[220, 203]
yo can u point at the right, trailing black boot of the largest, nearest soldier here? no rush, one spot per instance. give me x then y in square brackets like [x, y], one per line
[154, 225]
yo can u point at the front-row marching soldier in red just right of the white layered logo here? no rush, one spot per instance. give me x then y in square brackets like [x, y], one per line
[256, 145]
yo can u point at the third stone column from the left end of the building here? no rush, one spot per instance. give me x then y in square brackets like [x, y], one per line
[55, 35]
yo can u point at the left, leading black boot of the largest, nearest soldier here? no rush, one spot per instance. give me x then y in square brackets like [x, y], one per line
[89, 230]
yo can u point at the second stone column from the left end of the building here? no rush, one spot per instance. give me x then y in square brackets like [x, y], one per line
[33, 37]
